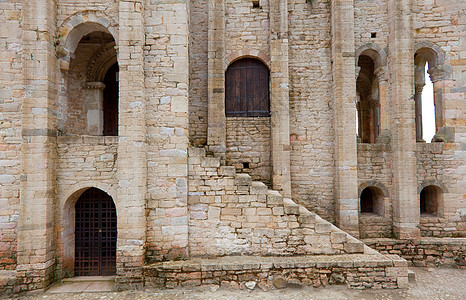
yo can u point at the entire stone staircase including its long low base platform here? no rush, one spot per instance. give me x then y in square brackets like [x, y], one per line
[240, 231]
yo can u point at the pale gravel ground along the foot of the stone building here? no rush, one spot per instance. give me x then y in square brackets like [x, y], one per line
[431, 283]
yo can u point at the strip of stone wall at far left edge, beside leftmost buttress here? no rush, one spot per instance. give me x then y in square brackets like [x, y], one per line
[11, 92]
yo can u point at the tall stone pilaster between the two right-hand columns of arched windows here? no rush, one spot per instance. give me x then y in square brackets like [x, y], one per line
[406, 212]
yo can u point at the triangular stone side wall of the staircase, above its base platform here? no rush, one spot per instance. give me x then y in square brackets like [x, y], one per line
[231, 214]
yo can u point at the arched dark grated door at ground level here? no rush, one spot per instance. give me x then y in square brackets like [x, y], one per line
[95, 235]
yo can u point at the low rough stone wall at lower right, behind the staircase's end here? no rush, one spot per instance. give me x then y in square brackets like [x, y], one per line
[424, 252]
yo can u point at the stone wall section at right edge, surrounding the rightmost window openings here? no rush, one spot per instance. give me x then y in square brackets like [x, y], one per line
[442, 23]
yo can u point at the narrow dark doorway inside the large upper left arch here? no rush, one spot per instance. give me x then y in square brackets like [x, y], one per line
[111, 101]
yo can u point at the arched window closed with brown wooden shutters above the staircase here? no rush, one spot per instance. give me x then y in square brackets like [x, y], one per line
[247, 89]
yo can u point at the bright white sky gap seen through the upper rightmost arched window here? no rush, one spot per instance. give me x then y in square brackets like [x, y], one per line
[428, 108]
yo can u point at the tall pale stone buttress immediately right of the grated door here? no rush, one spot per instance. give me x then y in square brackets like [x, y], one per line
[132, 147]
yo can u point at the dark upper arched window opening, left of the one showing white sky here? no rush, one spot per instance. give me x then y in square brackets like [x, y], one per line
[368, 106]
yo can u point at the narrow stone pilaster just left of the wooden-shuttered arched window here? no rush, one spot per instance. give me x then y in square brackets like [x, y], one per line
[216, 130]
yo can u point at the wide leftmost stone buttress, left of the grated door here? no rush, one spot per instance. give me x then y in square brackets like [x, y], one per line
[36, 242]
